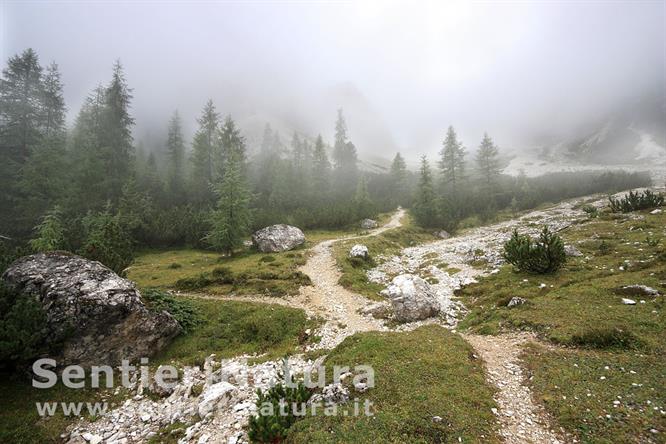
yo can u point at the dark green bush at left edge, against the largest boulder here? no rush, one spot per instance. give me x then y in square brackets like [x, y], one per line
[22, 328]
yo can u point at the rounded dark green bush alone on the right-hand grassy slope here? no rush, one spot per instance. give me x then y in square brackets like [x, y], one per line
[543, 255]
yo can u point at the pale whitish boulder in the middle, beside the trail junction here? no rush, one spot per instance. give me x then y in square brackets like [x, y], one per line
[412, 298]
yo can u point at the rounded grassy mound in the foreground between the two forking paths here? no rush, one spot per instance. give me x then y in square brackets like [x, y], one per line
[418, 375]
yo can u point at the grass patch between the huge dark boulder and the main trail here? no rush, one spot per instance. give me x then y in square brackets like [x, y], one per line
[230, 328]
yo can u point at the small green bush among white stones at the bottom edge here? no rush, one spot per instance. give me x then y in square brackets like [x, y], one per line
[271, 428]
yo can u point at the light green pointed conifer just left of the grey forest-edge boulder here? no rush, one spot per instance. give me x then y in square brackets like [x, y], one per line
[231, 220]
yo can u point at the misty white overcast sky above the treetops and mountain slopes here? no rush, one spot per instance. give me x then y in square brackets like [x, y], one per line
[403, 71]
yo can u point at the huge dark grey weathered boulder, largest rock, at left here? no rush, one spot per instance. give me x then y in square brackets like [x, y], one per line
[98, 315]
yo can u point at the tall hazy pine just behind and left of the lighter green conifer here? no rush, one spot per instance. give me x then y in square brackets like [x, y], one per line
[204, 151]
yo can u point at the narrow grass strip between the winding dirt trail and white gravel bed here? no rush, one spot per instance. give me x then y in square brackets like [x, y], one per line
[386, 244]
